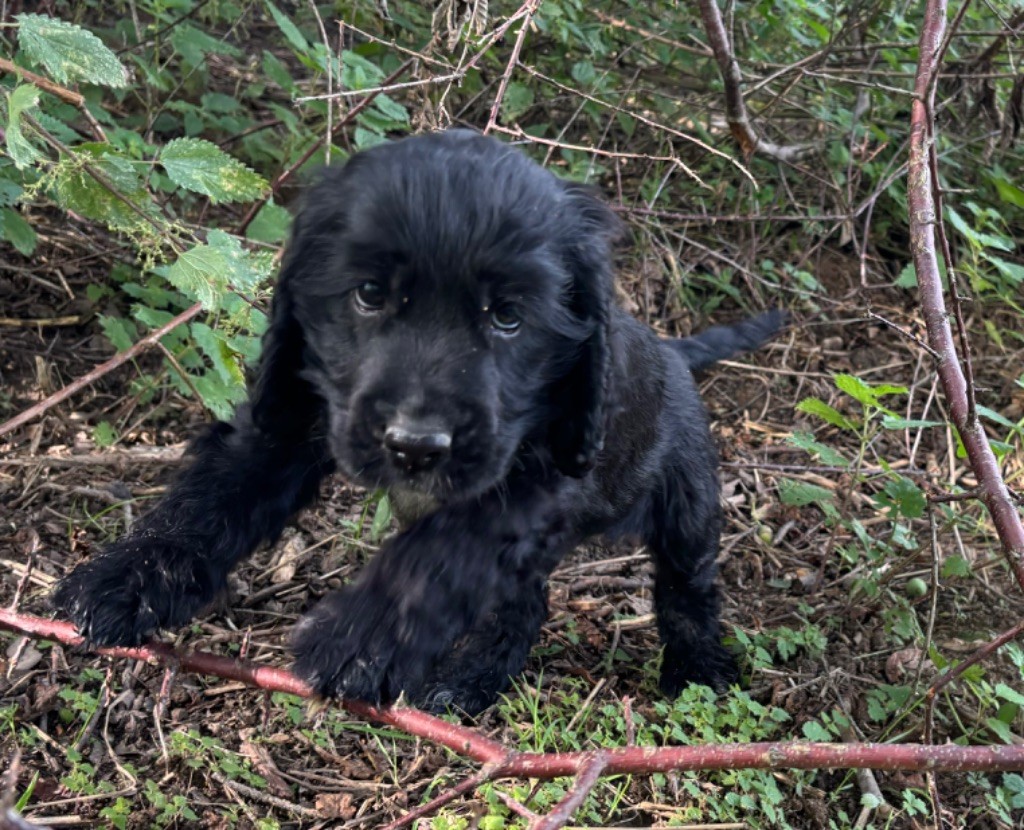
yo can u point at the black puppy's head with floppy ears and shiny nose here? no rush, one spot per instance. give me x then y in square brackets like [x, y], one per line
[452, 301]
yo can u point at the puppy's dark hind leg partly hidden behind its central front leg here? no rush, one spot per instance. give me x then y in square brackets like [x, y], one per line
[483, 665]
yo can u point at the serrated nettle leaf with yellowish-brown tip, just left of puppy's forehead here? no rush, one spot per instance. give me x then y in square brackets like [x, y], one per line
[204, 168]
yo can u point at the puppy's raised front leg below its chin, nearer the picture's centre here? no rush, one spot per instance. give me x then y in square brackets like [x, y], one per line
[426, 589]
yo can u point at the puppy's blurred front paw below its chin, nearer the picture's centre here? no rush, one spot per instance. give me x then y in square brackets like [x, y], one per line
[359, 644]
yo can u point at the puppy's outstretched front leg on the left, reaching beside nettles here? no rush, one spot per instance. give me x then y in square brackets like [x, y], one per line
[239, 491]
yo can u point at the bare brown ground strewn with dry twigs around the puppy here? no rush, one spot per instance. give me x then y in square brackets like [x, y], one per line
[62, 497]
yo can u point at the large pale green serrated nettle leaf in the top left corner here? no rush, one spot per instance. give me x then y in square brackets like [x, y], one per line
[69, 53]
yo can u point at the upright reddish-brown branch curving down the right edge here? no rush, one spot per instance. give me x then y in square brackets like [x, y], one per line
[924, 220]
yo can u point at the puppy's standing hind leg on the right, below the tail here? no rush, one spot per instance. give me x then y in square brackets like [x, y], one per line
[684, 535]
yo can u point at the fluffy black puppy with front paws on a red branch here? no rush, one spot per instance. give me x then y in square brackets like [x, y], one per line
[444, 327]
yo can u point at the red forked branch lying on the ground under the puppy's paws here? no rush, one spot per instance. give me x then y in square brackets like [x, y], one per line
[503, 763]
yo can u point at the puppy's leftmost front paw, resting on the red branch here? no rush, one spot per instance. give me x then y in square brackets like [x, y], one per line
[136, 587]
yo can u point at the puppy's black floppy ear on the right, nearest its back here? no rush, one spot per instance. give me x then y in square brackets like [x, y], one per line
[578, 433]
